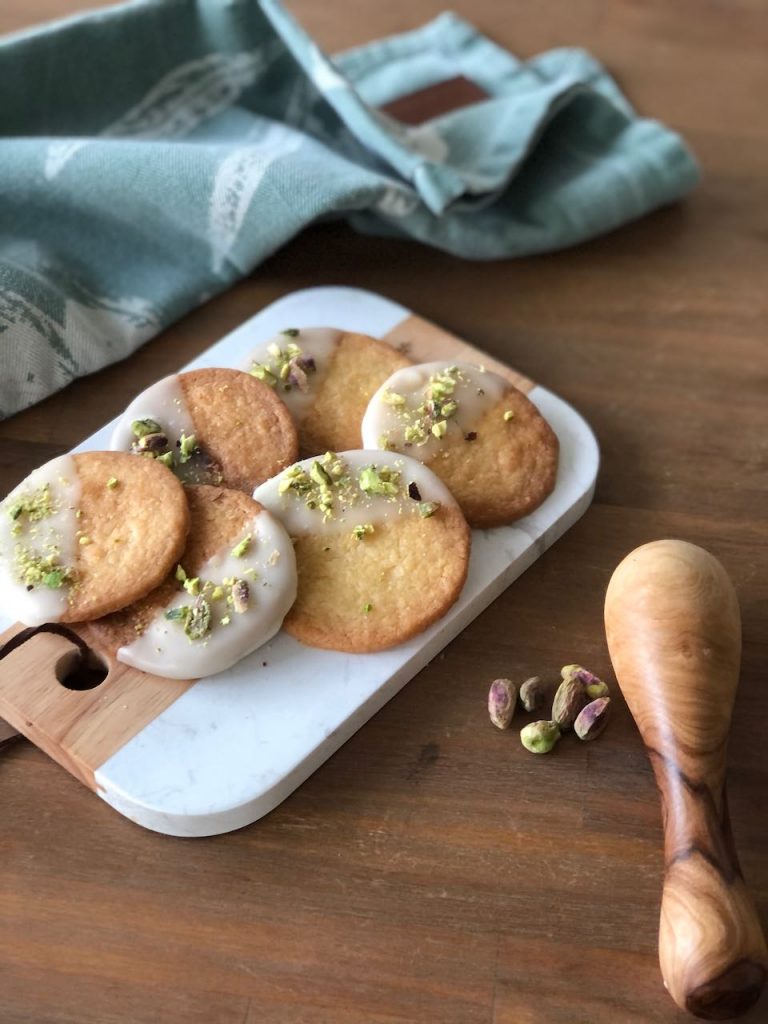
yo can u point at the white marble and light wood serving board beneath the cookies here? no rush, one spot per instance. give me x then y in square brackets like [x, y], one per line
[207, 757]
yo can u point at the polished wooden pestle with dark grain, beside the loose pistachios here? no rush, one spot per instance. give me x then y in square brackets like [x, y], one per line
[674, 633]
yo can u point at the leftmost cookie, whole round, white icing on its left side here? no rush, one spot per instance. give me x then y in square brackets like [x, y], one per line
[89, 534]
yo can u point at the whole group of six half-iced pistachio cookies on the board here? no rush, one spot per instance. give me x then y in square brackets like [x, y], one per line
[200, 535]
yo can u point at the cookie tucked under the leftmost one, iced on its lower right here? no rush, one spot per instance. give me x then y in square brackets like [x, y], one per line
[228, 596]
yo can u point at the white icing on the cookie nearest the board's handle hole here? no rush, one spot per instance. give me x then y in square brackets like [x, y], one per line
[269, 567]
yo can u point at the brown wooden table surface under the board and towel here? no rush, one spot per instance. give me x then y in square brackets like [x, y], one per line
[433, 871]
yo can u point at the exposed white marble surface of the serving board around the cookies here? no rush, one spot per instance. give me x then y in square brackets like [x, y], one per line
[235, 746]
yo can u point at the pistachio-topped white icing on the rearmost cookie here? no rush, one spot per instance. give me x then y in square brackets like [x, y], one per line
[312, 349]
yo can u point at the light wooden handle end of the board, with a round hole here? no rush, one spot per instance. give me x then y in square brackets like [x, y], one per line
[80, 730]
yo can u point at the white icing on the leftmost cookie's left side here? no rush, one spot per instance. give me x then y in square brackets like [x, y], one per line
[26, 540]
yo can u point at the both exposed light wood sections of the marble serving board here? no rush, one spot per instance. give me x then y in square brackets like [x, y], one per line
[81, 730]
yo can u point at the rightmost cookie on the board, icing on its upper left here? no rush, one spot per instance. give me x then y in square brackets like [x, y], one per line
[481, 436]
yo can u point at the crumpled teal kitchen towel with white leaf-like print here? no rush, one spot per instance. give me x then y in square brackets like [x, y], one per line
[154, 153]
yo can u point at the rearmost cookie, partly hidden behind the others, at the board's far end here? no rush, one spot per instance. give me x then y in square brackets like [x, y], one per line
[327, 378]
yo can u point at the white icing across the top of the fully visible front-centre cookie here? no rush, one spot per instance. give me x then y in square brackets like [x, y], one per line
[352, 506]
